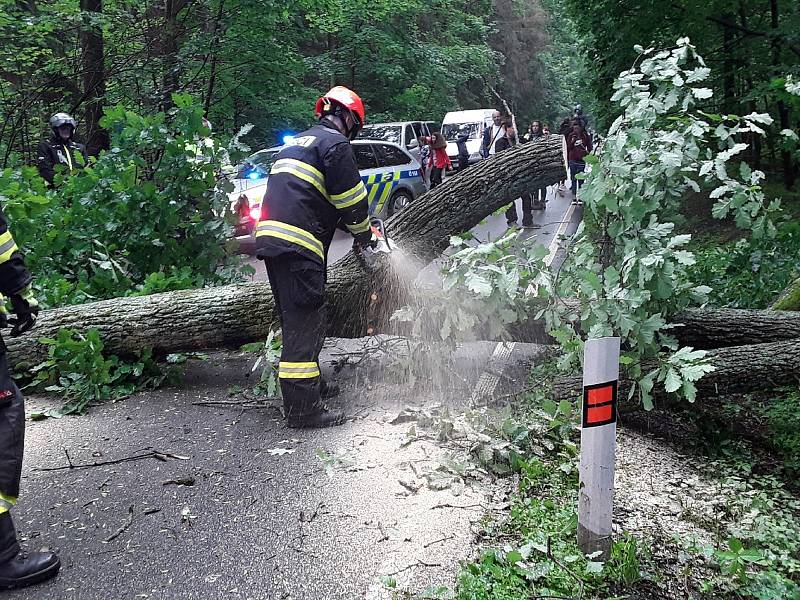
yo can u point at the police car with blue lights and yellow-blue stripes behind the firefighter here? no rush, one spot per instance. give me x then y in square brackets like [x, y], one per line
[391, 174]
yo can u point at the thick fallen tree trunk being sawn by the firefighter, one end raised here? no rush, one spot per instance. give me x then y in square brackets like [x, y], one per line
[230, 315]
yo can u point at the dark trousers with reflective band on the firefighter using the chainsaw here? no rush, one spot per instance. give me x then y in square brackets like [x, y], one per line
[298, 287]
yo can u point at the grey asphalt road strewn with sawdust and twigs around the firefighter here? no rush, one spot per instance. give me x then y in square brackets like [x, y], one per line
[238, 506]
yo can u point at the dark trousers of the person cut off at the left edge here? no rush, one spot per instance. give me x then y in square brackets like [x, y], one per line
[12, 440]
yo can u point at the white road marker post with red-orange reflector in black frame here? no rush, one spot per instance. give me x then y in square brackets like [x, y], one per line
[598, 444]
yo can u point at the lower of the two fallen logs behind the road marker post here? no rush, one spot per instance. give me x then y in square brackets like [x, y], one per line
[739, 369]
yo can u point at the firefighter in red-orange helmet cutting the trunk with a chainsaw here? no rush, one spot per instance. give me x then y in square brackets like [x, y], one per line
[314, 185]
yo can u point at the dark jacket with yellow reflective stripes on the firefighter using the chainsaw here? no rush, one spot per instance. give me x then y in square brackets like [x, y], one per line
[313, 184]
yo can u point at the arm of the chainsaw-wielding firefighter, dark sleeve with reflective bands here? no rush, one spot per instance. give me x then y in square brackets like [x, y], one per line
[347, 192]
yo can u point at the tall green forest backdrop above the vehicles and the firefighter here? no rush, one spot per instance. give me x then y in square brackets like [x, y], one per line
[266, 62]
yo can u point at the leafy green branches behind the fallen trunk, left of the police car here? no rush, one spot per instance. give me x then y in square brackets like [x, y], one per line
[144, 217]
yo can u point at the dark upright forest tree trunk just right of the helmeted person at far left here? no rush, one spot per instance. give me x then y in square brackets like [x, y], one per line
[94, 78]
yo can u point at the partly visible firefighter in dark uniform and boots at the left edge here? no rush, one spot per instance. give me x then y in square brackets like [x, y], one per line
[17, 568]
